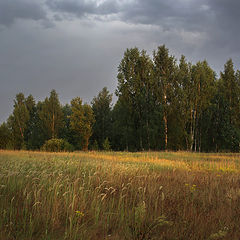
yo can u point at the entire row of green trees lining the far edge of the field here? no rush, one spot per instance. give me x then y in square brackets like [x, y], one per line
[163, 104]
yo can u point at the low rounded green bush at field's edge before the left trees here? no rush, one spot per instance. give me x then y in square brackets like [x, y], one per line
[57, 145]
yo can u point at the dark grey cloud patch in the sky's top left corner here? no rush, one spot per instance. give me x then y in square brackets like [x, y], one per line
[10, 10]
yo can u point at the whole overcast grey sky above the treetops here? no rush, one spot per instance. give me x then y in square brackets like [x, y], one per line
[75, 46]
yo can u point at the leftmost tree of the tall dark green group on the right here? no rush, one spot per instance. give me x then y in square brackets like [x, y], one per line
[135, 98]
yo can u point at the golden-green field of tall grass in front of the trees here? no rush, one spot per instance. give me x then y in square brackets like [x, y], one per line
[97, 195]
